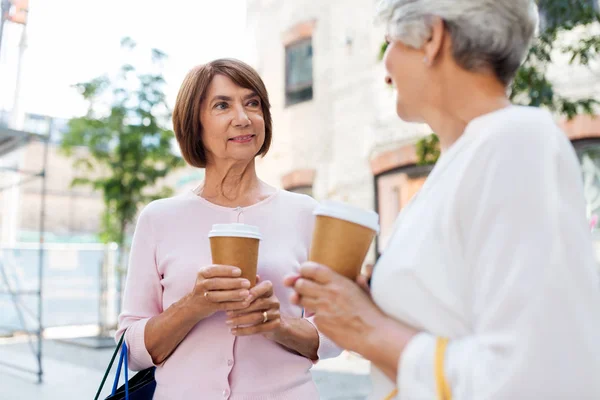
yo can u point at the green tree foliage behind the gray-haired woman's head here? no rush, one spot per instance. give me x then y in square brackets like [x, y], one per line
[531, 85]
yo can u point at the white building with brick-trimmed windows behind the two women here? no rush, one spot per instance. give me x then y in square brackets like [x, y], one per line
[336, 134]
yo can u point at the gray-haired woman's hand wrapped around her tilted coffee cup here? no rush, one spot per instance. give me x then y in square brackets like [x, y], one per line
[343, 311]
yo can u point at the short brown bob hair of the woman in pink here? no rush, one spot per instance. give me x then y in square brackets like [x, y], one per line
[186, 115]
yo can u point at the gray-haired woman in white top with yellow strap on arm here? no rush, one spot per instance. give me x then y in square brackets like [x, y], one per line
[488, 287]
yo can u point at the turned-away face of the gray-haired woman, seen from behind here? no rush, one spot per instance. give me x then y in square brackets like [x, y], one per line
[407, 72]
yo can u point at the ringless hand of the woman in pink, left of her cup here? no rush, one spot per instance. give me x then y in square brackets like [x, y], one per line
[219, 288]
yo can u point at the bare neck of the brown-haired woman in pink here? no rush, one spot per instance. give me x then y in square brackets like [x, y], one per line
[231, 184]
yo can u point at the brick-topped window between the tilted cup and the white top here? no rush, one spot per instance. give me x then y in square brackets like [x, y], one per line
[393, 191]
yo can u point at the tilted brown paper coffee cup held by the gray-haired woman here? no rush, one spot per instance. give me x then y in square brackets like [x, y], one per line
[342, 237]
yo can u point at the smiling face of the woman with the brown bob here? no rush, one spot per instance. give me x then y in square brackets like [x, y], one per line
[232, 122]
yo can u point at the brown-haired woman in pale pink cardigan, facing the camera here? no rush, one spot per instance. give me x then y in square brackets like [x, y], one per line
[210, 335]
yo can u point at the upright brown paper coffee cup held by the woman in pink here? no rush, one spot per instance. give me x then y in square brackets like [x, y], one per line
[237, 245]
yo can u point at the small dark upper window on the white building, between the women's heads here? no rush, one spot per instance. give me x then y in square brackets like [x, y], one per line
[298, 72]
